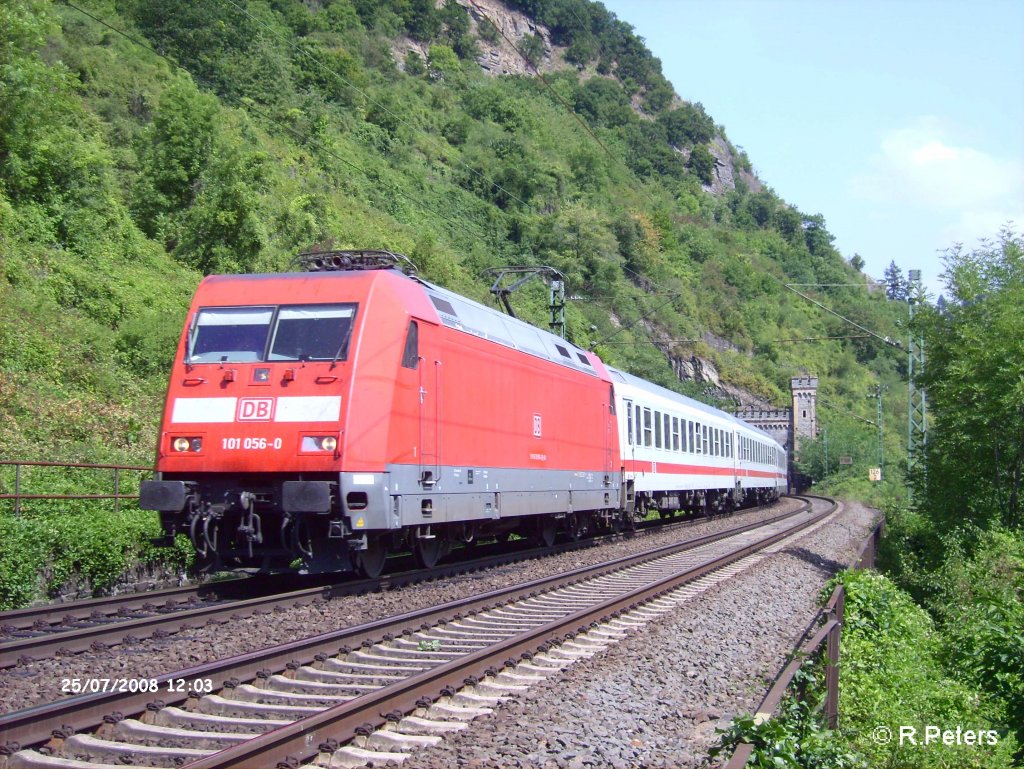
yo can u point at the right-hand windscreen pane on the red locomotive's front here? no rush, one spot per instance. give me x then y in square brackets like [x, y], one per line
[313, 332]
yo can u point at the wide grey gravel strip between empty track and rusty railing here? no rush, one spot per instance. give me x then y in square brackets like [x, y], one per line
[658, 699]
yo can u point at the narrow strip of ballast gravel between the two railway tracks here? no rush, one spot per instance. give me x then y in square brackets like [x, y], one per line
[44, 681]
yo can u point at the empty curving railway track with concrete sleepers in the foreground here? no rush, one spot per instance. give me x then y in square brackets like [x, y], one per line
[417, 675]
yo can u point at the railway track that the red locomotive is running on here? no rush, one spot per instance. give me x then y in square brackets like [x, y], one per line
[42, 632]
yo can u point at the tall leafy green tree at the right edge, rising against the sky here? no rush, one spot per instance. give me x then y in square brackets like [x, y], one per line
[975, 383]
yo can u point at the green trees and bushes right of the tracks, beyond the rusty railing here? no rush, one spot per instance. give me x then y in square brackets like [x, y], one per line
[941, 644]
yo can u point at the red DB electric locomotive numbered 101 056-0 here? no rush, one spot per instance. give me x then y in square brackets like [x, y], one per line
[320, 420]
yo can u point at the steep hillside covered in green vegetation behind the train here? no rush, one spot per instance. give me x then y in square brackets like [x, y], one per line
[143, 146]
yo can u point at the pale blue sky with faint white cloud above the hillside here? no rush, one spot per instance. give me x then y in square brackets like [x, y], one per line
[901, 121]
